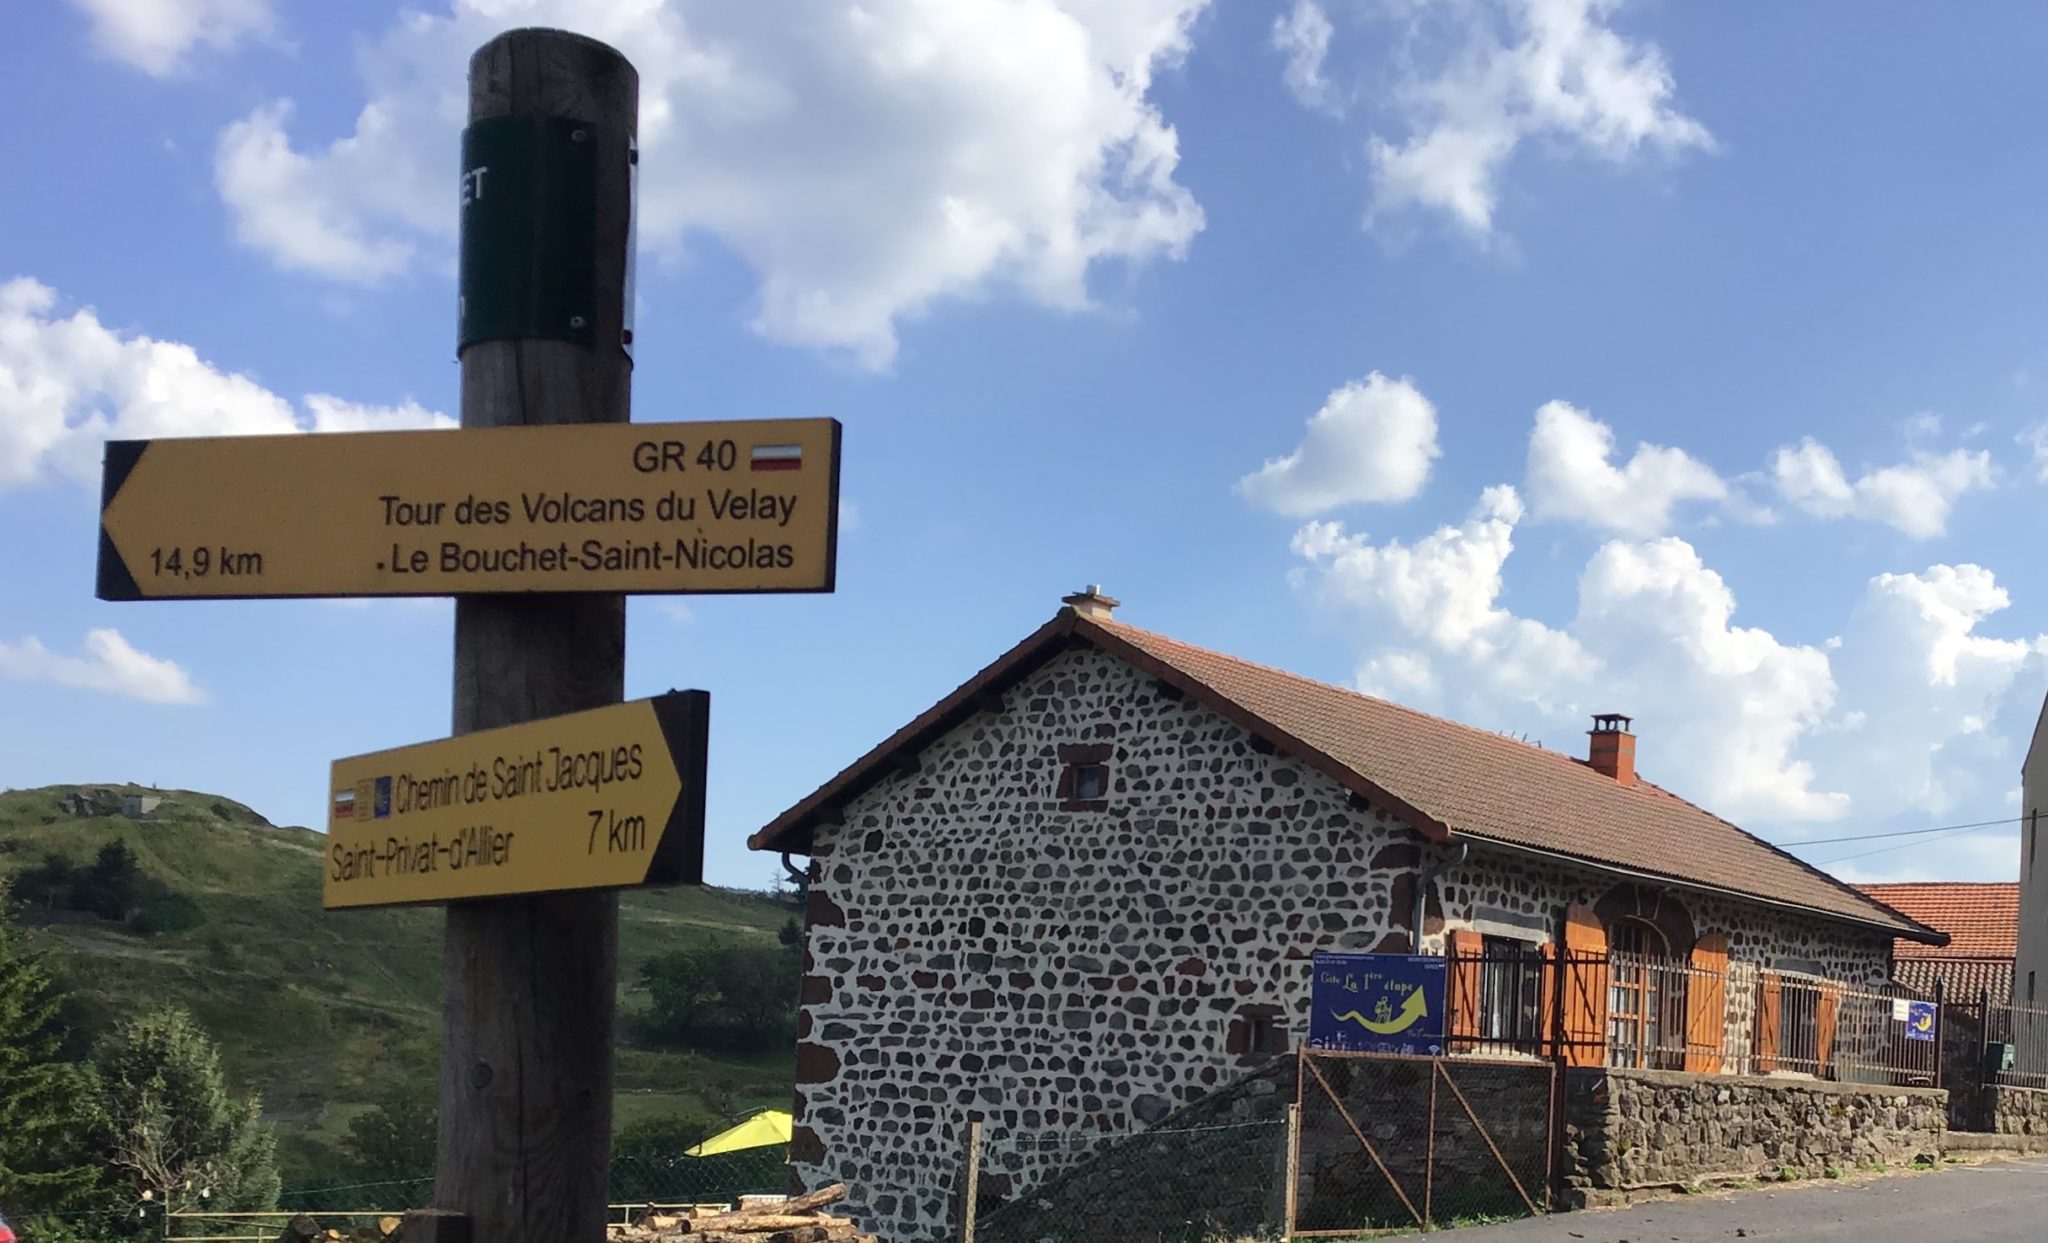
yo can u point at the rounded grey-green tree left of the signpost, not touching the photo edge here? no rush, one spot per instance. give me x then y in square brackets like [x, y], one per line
[169, 1125]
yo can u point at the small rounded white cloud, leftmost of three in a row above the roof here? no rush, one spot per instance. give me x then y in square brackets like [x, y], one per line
[1373, 441]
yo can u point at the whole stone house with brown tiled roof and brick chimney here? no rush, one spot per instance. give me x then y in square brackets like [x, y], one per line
[1080, 894]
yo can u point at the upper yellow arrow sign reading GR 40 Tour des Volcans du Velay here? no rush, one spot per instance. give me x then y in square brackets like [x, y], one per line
[728, 507]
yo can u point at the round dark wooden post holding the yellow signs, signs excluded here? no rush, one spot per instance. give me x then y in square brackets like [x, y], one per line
[529, 982]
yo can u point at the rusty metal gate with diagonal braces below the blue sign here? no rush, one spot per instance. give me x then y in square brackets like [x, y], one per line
[1390, 1142]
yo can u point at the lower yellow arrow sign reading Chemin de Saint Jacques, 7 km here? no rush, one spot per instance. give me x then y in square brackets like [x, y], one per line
[601, 800]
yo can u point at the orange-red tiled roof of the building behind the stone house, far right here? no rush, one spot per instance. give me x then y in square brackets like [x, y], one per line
[1983, 937]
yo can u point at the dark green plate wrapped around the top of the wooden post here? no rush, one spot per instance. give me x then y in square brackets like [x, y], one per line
[529, 218]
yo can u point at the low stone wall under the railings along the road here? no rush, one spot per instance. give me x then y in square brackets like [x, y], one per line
[1629, 1131]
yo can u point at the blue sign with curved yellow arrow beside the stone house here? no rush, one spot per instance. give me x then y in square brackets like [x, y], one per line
[1379, 1002]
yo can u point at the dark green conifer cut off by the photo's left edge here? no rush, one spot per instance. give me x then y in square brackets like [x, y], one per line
[44, 1164]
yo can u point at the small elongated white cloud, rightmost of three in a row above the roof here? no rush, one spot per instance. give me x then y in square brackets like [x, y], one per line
[1914, 497]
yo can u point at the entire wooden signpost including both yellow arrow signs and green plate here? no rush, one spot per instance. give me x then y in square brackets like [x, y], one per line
[538, 515]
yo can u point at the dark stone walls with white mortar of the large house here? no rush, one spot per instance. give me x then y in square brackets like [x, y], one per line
[980, 947]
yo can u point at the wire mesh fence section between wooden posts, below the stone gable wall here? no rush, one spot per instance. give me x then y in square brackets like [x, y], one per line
[1179, 1185]
